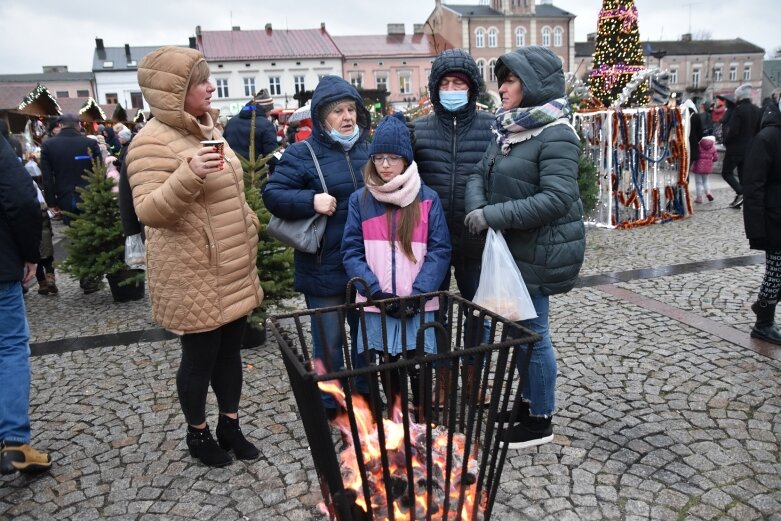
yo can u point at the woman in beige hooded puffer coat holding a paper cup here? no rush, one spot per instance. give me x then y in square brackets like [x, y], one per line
[201, 243]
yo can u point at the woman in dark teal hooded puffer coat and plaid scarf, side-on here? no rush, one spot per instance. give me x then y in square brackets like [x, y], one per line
[527, 186]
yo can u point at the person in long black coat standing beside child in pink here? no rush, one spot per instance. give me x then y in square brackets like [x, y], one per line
[741, 126]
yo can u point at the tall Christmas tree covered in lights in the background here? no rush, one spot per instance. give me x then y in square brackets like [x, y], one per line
[617, 53]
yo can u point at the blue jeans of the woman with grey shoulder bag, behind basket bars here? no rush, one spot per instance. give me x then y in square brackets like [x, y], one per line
[328, 328]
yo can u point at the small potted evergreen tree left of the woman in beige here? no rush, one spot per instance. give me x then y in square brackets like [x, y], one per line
[96, 242]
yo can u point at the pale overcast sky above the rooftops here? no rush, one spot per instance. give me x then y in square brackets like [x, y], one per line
[56, 32]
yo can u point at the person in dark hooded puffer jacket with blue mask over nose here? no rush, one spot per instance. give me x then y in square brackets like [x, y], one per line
[447, 145]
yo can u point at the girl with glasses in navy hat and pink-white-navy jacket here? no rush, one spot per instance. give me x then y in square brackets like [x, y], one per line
[397, 240]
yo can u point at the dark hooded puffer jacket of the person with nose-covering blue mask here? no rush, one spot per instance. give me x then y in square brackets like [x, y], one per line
[448, 145]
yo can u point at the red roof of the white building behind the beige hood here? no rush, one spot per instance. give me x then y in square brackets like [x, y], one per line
[262, 44]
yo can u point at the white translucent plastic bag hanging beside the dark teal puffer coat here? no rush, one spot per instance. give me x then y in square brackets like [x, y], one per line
[501, 287]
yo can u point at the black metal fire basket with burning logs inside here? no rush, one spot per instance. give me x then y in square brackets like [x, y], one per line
[414, 436]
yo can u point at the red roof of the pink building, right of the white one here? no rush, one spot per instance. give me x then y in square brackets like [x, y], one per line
[386, 45]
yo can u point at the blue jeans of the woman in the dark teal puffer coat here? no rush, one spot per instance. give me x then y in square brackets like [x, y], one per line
[540, 386]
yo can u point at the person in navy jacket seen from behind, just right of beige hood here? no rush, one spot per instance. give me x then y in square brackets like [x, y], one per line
[239, 128]
